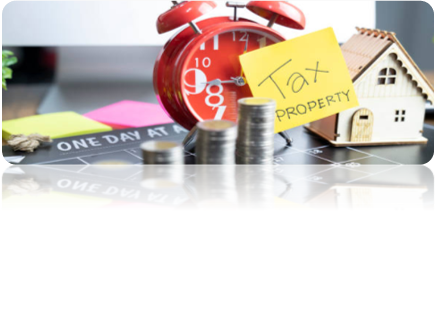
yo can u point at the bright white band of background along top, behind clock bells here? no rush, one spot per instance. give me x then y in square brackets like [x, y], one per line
[133, 23]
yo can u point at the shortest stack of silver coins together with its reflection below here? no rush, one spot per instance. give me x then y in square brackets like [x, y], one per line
[164, 165]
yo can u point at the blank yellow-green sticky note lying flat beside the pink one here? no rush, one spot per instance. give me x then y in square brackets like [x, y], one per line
[56, 125]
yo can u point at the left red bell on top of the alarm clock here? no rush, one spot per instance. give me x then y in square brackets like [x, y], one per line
[183, 13]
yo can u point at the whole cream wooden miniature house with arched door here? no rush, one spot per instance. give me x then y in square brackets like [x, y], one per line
[392, 93]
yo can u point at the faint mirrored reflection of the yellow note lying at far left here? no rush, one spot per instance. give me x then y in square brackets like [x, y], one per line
[54, 201]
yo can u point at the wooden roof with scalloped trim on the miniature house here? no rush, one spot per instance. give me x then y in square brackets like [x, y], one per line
[364, 48]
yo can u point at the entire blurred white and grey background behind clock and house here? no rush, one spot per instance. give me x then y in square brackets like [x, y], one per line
[83, 55]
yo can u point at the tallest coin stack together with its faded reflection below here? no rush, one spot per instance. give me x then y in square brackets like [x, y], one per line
[255, 153]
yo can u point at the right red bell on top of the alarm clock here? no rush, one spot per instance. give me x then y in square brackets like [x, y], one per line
[279, 12]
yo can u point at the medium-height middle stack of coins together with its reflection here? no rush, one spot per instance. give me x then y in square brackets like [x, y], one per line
[215, 172]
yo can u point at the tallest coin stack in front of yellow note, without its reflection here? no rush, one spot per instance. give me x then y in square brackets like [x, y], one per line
[255, 144]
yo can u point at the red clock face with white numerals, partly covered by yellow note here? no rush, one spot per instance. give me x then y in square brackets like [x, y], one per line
[213, 82]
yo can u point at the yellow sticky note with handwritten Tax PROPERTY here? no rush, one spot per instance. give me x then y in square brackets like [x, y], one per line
[307, 76]
